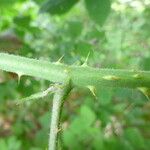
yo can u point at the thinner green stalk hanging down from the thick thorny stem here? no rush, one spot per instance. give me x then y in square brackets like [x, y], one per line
[58, 100]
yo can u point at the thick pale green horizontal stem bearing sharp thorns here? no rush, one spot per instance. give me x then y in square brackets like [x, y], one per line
[79, 75]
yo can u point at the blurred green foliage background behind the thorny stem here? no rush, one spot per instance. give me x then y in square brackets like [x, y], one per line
[117, 35]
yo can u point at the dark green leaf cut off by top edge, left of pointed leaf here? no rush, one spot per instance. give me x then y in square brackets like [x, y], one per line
[57, 6]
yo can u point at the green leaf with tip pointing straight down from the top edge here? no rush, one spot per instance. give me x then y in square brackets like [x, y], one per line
[98, 10]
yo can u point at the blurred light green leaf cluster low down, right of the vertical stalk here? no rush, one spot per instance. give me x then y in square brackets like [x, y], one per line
[84, 124]
